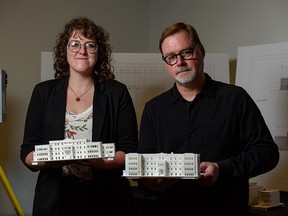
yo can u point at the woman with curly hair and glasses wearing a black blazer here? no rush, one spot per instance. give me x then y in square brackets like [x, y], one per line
[84, 101]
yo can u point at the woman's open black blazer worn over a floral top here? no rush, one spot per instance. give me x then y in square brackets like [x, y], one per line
[114, 120]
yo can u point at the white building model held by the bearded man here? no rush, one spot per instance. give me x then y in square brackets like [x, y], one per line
[184, 165]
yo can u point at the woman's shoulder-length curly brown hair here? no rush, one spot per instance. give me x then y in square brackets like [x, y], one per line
[103, 69]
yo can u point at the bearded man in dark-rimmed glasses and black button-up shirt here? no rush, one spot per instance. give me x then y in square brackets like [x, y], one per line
[219, 121]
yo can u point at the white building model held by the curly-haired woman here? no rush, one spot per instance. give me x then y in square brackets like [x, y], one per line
[69, 149]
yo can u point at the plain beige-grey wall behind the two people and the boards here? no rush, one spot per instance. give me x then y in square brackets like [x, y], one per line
[28, 27]
